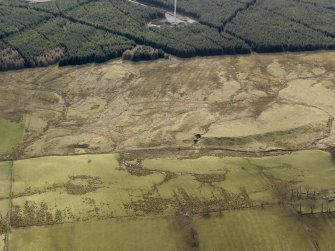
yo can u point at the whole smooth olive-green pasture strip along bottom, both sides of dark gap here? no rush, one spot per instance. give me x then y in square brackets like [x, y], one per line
[272, 228]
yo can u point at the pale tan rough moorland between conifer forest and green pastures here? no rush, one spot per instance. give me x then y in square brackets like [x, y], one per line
[267, 99]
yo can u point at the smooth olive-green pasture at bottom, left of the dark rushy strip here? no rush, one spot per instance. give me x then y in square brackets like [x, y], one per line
[124, 234]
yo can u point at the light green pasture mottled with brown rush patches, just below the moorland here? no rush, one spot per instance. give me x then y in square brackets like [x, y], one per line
[84, 187]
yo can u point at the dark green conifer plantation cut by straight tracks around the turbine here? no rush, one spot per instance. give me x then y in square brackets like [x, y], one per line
[83, 31]
